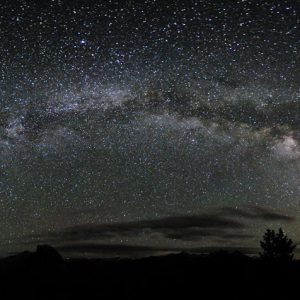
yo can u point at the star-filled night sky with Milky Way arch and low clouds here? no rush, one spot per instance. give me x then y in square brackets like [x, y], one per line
[132, 128]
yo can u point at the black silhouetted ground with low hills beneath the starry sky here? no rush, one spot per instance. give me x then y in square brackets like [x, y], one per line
[45, 275]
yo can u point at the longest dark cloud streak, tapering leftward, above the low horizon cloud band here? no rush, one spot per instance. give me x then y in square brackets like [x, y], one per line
[205, 224]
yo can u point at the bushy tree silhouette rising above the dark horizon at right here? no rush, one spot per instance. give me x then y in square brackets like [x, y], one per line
[276, 246]
